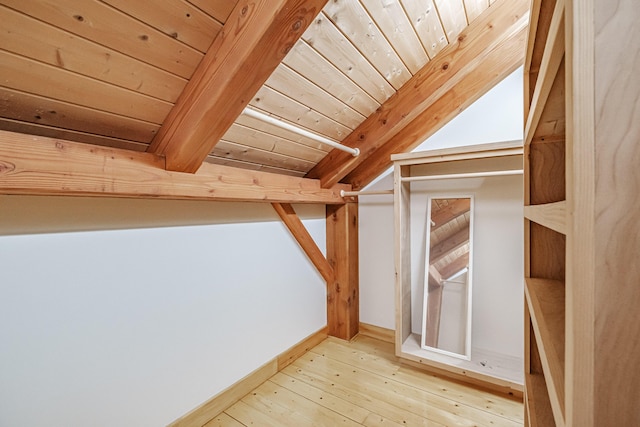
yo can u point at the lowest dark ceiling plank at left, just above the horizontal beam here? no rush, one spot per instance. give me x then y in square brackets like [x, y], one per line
[69, 135]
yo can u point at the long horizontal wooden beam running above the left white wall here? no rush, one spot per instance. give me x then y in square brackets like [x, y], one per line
[47, 166]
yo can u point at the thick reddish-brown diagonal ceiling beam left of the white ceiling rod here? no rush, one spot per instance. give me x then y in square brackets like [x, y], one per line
[254, 40]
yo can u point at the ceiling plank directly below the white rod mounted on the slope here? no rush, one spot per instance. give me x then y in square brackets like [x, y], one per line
[249, 137]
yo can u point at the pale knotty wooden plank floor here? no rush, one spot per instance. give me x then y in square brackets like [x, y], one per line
[359, 383]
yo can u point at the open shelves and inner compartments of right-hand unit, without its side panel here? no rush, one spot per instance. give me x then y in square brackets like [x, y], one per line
[545, 215]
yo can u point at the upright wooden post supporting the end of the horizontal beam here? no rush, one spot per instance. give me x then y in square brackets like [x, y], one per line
[342, 253]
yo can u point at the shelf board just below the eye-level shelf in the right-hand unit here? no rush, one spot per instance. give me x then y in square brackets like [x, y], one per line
[546, 301]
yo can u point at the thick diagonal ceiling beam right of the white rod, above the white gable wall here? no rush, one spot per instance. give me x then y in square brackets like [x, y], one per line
[498, 30]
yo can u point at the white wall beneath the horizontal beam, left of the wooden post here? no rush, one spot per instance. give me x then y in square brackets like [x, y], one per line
[136, 327]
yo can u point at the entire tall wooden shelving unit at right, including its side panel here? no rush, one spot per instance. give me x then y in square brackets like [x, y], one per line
[581, 214]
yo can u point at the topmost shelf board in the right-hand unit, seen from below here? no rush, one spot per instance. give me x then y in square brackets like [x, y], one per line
[551, 59]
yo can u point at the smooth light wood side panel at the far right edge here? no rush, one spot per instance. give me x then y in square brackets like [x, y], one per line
[616, 232]
